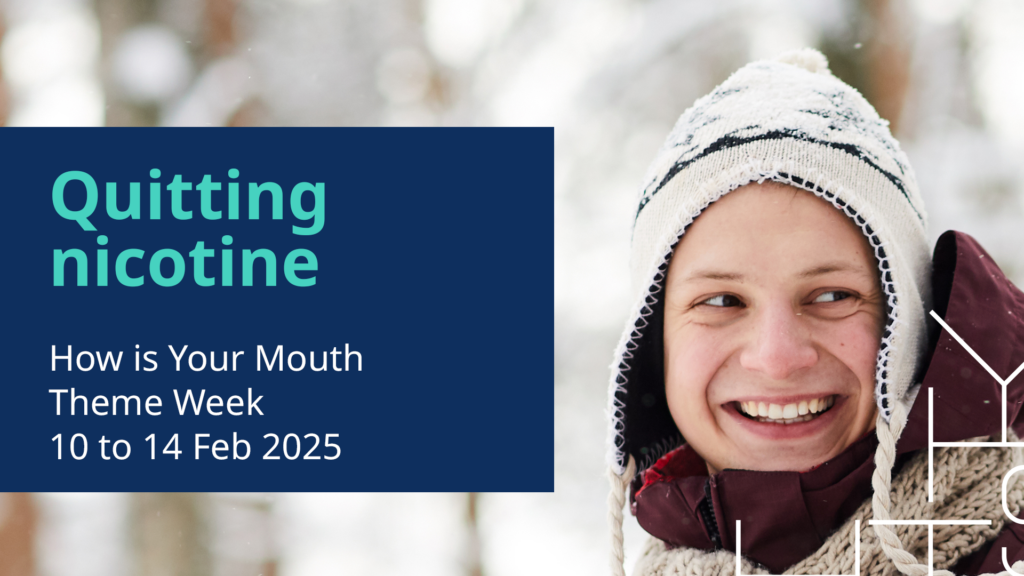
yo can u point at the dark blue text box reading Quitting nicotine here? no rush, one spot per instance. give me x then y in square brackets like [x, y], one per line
[435, 264]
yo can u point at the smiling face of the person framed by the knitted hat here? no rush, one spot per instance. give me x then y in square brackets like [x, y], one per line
[773, 323]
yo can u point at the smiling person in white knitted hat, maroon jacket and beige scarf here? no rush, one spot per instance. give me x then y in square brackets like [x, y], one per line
[771, 373]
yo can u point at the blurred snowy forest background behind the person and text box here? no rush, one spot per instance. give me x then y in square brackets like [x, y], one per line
[612, 76]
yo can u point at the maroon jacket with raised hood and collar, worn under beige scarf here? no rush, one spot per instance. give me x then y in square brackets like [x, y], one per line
[788, 516]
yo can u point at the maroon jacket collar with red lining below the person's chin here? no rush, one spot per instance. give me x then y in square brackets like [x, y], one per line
[786, 516]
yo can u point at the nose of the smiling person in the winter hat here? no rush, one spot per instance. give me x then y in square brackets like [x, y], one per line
[781, 344]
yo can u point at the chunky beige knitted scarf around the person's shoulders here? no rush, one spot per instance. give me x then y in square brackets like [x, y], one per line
[968, 486]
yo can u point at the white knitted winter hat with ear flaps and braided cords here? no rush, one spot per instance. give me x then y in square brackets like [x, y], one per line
[791, 121]
